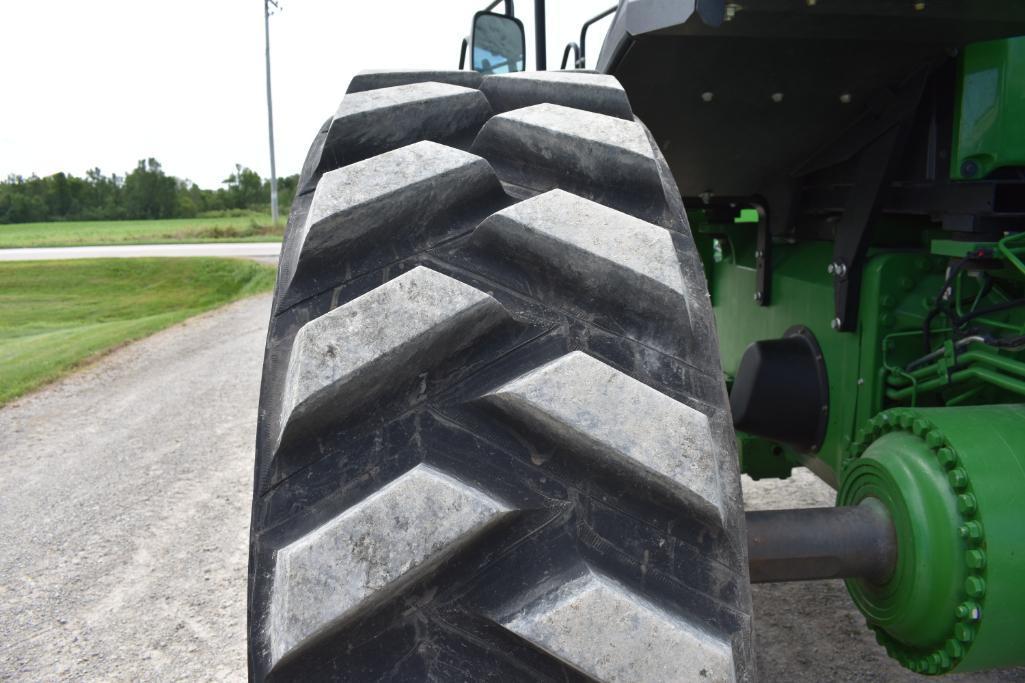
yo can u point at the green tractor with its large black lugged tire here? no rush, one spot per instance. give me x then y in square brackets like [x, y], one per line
[530, 329]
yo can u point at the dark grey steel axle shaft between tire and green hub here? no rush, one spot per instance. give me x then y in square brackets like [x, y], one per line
[822, 543]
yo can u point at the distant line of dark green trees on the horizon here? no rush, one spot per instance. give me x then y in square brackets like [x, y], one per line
[146, 192]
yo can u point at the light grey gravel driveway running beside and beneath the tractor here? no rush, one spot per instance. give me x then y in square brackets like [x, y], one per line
[125, 513]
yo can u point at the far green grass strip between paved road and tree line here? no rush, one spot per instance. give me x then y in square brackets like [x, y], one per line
[255, 228]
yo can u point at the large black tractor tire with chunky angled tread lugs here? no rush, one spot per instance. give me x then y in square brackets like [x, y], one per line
[495, 439]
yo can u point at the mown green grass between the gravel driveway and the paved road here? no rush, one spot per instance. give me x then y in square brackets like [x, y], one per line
[55, 315]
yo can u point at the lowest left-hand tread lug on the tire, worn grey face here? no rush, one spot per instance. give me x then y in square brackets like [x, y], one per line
[360, 557]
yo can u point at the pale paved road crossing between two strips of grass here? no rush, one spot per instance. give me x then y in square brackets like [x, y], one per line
[237, 250]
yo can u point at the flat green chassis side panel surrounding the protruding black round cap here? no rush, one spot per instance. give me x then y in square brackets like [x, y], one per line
[897, 292]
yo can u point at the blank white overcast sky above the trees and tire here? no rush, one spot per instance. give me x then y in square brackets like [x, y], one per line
[104, 84]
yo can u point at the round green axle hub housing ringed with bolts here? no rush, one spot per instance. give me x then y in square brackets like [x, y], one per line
[954, 483]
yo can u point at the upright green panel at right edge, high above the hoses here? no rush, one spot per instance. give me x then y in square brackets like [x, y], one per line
[990, 128]
